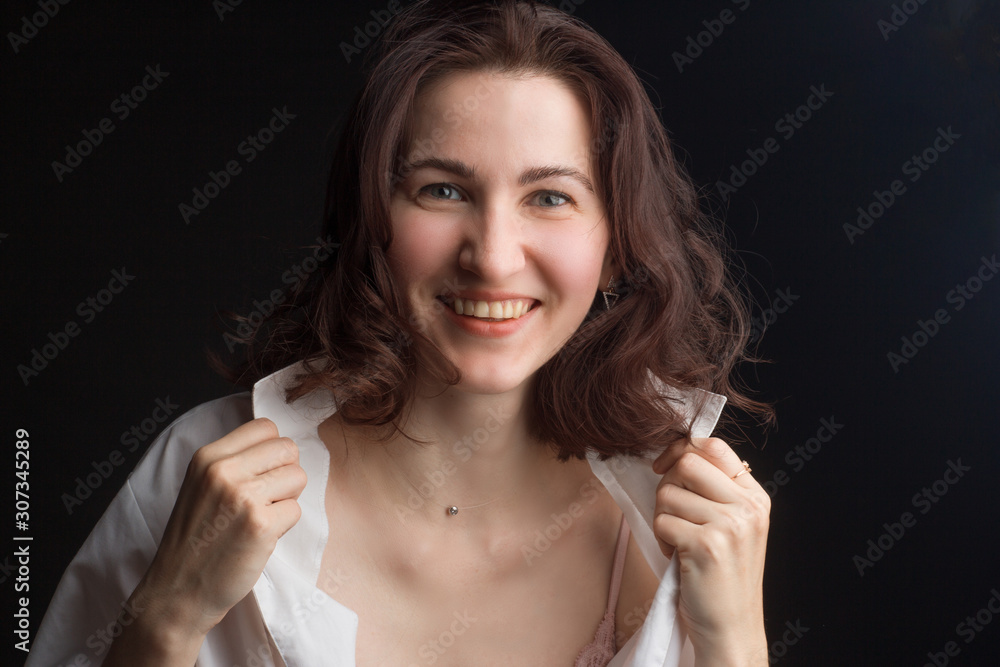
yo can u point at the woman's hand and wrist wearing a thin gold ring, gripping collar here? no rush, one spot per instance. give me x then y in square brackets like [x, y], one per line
[716, 523]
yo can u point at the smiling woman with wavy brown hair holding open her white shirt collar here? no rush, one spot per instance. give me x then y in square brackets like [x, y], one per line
[479, 432]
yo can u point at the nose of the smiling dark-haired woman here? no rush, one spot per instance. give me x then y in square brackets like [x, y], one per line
[493, 244]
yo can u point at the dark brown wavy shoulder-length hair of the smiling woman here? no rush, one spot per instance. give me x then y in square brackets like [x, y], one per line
[681, 316]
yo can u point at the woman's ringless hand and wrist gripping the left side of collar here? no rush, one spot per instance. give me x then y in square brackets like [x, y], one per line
[237, 498]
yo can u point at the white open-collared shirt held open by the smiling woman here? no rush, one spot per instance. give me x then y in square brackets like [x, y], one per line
[287, 620]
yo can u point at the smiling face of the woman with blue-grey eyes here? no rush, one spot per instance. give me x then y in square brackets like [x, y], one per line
[497, 210]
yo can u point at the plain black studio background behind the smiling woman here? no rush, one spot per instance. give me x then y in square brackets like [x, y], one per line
[61, 240]
